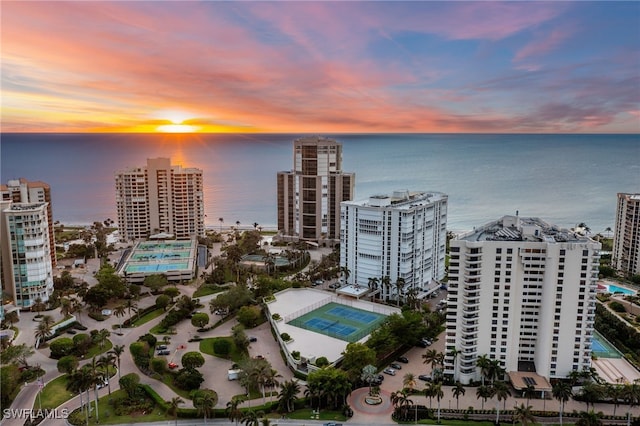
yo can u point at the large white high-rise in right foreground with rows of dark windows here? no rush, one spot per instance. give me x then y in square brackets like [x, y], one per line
[522, 293]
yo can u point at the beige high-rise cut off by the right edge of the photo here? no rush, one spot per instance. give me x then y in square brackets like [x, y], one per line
[626, 239]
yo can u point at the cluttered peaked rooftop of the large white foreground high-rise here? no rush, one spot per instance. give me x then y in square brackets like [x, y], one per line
[516, 228]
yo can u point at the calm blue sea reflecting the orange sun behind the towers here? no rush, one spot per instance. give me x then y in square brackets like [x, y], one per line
[563, 179]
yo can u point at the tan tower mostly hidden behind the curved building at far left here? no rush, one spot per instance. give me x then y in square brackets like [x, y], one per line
[24, 191]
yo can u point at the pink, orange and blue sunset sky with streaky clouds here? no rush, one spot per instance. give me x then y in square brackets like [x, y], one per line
[362, 67]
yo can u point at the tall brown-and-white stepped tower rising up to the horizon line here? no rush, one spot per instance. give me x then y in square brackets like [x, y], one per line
[309, 195]
